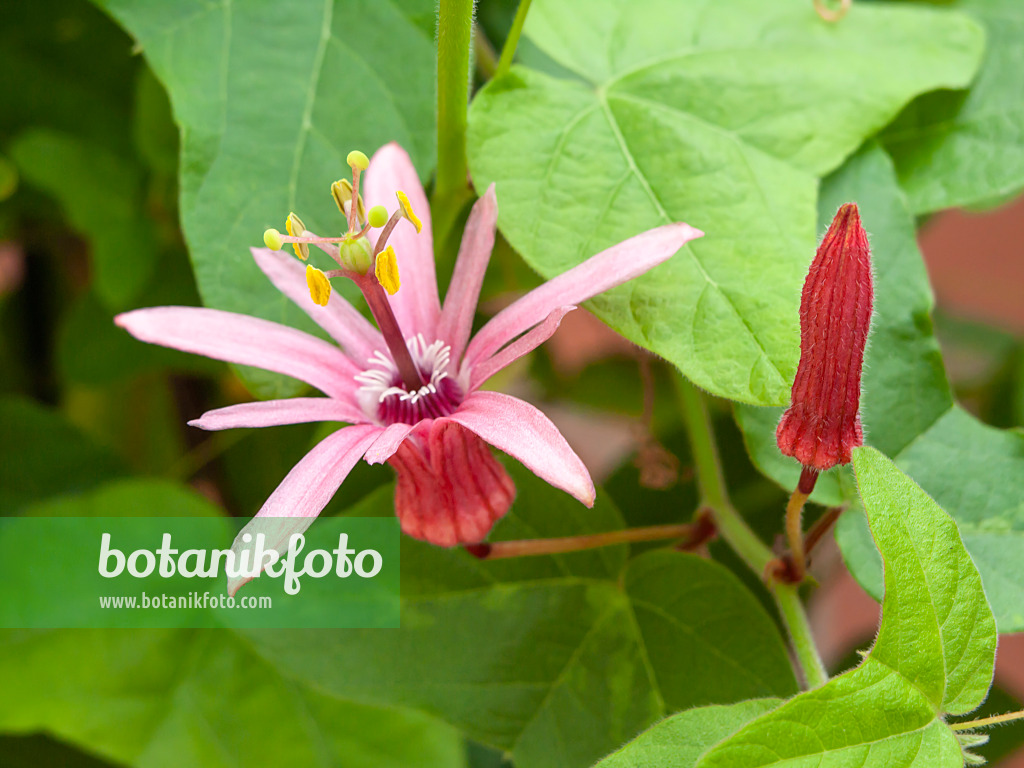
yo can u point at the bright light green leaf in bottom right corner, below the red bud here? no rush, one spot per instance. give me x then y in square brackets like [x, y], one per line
[934, 656]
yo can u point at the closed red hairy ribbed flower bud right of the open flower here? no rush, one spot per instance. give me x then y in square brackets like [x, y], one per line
[823, 424]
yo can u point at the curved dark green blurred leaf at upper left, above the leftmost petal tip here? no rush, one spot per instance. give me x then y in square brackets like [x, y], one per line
[101, 193]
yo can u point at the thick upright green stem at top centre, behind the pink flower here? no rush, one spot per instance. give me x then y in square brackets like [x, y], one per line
[455, 31]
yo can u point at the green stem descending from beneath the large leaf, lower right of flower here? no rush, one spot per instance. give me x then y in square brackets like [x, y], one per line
[738, 534]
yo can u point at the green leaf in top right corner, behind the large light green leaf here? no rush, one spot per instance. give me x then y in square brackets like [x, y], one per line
[967, 148]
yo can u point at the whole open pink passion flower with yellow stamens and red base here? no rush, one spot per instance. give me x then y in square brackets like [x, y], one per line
[410, 392]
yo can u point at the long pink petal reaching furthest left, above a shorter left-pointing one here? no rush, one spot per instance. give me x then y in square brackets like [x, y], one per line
[246, 342]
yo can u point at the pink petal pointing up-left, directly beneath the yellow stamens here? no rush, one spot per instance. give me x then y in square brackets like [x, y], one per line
[339, 319]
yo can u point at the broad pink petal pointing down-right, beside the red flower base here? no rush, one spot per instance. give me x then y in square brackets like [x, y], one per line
[524, 433]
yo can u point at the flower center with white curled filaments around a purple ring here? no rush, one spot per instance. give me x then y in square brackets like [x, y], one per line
[386, 399]
